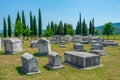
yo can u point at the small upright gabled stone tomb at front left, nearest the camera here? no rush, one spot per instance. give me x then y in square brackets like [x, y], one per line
[29, 64]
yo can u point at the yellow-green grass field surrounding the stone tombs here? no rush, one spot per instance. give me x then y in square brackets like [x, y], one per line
[10, 66]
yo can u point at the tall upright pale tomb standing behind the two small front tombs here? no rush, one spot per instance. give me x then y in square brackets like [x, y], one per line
[44, 47]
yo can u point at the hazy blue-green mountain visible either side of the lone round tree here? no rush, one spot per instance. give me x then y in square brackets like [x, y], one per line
[116, 31]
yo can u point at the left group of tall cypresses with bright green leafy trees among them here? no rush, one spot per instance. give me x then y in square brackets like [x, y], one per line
[21, 28]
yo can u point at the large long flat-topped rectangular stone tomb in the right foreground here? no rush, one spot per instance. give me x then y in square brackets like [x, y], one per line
[82, 60]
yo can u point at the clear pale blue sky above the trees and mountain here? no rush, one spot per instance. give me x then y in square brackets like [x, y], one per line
[68, 11]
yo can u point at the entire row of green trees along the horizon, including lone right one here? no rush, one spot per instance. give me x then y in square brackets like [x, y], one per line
[35, 30]
